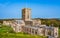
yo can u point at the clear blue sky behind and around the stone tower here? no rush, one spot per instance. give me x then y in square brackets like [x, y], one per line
[39, 8]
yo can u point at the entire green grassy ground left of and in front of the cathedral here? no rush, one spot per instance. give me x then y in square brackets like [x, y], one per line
[7, 32]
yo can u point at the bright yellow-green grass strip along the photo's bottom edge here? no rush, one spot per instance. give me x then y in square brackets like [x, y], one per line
[13, 35]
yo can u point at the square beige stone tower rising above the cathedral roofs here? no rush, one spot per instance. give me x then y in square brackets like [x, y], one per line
[26, 14]
